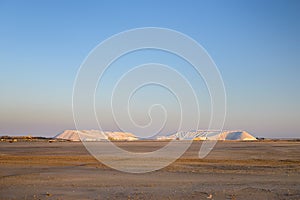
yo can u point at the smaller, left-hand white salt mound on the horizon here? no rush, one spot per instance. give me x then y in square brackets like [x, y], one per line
[95, 135]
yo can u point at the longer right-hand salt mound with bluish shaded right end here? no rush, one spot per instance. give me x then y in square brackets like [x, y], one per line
[209, 135]
